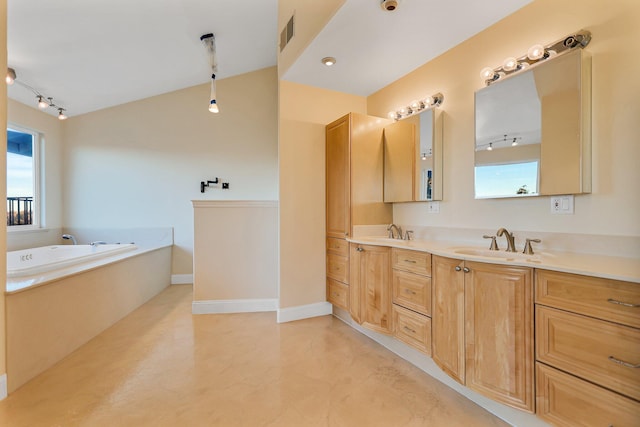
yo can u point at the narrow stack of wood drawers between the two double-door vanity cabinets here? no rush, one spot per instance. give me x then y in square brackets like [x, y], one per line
[411, 294]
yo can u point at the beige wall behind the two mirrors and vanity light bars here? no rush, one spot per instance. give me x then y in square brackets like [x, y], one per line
[614, 204]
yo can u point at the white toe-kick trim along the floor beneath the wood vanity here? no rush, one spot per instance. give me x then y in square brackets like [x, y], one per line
[426, 364]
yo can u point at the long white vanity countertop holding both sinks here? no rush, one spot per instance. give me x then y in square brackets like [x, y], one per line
[609, 267]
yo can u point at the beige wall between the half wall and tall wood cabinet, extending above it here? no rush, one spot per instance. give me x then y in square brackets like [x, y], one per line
[304, 112]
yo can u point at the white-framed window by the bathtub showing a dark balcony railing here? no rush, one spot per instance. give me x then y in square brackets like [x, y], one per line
[23, 203]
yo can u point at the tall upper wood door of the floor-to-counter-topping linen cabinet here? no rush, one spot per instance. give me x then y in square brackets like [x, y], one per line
[338, 178]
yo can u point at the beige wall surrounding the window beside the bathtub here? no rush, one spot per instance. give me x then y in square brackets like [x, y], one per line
[51, 130]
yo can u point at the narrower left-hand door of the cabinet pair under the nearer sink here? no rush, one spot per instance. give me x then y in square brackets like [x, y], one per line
[447, 316]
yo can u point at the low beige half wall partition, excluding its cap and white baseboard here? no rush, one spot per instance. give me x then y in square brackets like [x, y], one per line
[235, 250]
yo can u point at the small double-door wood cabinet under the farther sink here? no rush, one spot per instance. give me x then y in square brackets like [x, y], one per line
[370, 290]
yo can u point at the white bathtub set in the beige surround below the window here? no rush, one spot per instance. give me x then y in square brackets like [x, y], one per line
[28, 262]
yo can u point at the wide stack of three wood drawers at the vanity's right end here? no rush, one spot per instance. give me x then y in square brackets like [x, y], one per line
[587, 350]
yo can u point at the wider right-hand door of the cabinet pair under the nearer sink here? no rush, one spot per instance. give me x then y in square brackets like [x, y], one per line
[499, 333]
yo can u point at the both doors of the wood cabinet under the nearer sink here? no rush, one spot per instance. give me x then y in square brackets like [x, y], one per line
[483, 328]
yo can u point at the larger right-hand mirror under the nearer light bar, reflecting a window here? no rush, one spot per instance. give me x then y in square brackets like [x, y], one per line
[533, 131]
